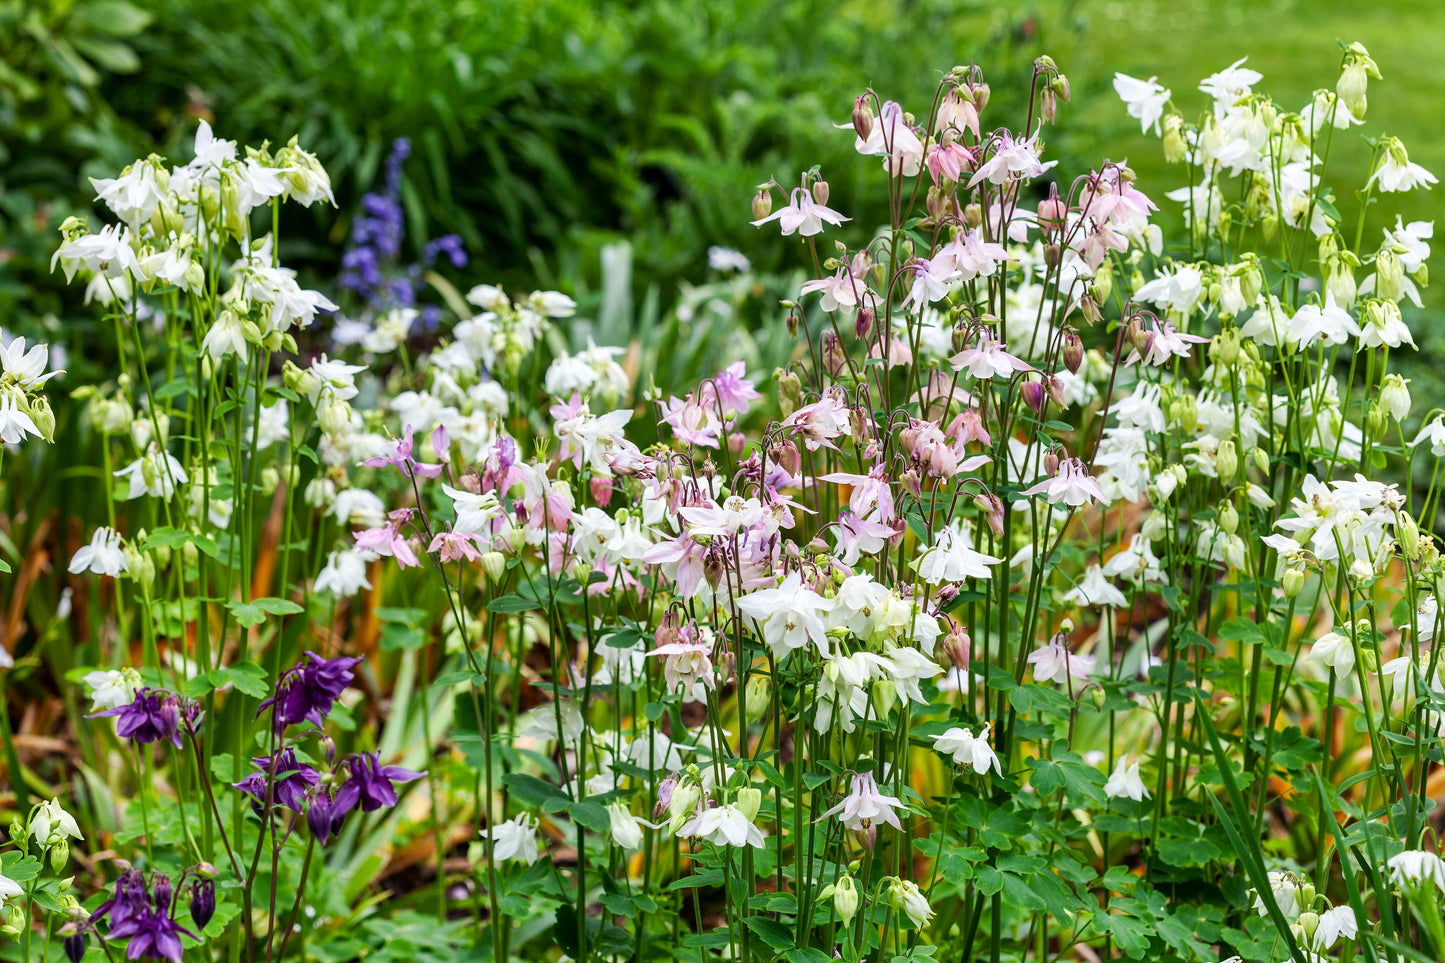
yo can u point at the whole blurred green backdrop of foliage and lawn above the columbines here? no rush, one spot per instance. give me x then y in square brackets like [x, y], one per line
[545, 129]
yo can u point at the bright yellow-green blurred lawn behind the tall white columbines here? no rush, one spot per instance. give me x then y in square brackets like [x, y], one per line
[1294, 44]
